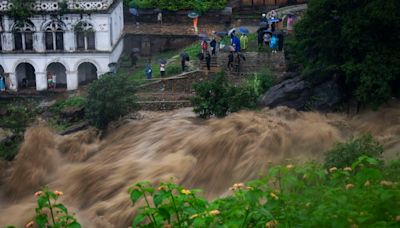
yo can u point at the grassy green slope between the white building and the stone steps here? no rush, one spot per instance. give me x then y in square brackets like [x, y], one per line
[173, 67]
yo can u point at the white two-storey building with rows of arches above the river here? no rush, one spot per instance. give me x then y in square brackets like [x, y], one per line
[76, 46]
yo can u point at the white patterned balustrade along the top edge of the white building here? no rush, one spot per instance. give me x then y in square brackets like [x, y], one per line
[56, 5]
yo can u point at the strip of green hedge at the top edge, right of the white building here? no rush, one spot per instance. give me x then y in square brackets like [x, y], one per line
[174, 5]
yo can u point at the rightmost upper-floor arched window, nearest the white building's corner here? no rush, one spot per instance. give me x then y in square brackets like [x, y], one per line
[85, 36]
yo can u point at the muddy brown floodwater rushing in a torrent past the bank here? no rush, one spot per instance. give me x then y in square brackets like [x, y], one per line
[95, 174]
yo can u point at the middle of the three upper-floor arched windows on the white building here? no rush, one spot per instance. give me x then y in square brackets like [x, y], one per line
[54, 35]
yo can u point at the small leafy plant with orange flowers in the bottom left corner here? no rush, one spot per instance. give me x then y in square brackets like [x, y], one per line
[50, 213]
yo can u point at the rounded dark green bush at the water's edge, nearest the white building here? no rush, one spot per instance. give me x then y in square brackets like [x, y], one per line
[109, 98]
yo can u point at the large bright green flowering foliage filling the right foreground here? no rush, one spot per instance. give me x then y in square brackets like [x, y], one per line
[289, 196]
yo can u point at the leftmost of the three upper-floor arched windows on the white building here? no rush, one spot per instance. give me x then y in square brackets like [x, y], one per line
[23, 35]
